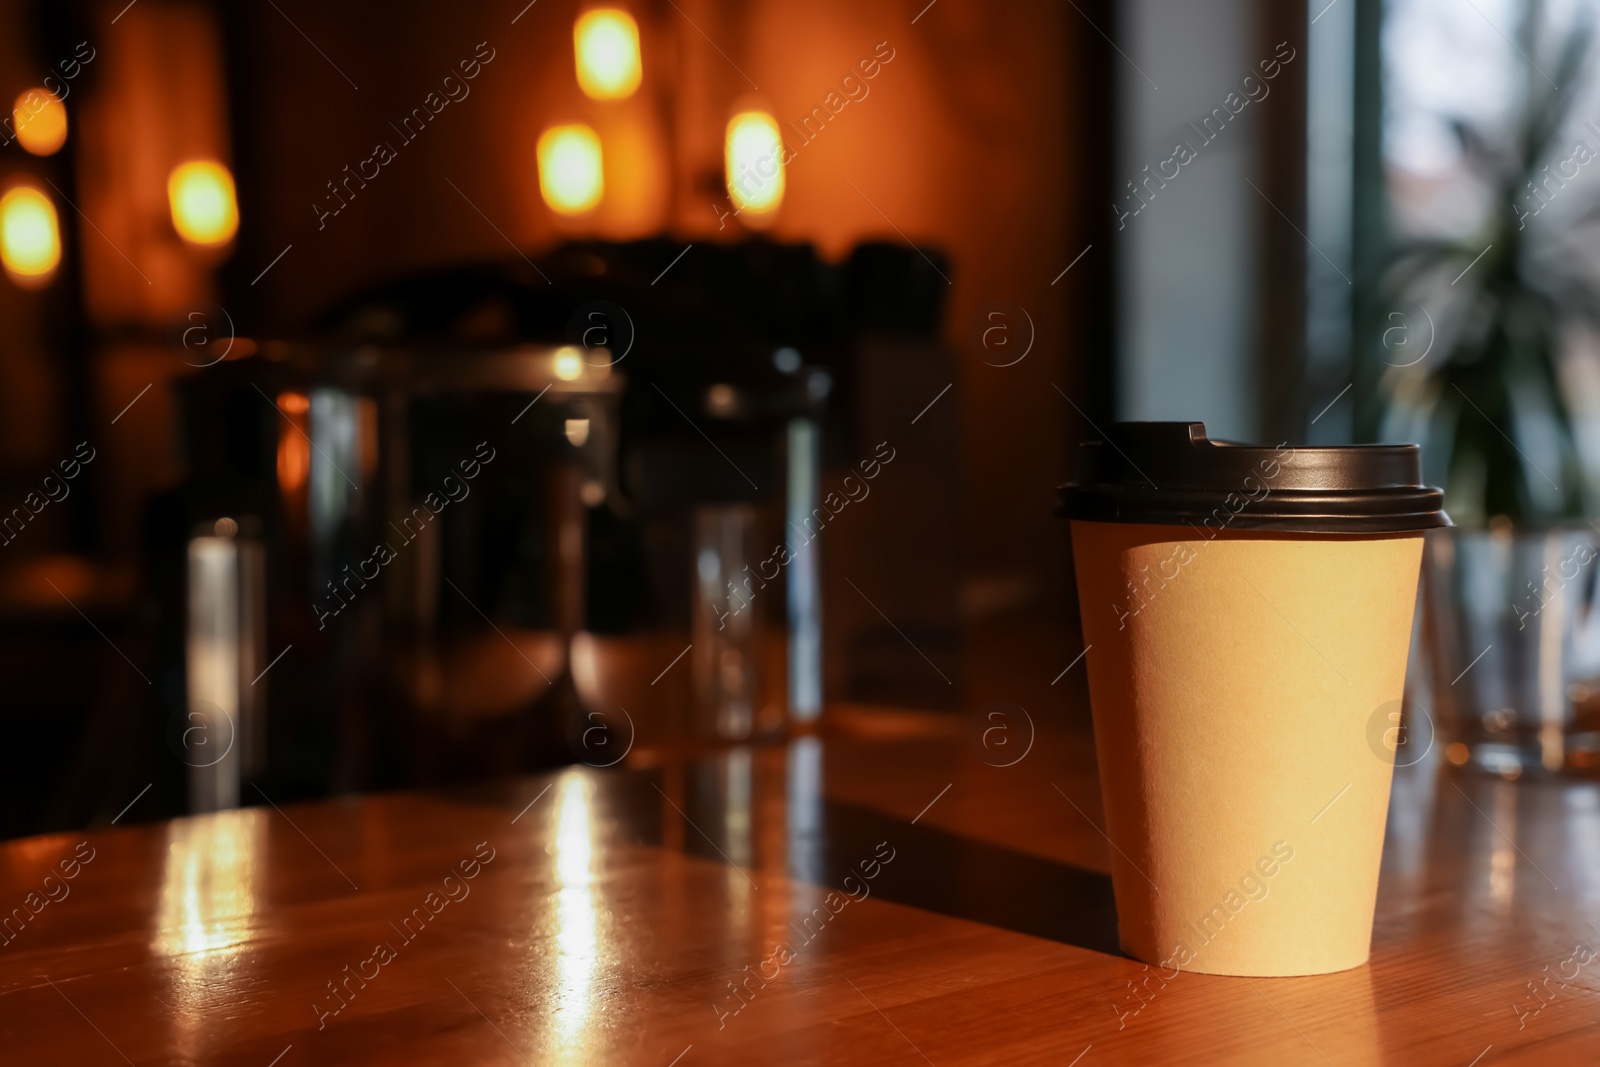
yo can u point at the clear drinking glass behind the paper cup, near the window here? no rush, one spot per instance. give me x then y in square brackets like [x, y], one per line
[1514, 642]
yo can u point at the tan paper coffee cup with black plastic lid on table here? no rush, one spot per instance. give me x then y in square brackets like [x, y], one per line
[1247, 612]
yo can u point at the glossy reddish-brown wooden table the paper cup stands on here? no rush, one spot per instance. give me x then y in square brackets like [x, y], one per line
[631, 917]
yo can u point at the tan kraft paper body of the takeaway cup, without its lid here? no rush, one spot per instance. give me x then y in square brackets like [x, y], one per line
[1233, 689]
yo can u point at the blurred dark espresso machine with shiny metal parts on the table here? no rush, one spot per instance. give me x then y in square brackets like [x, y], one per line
[514, 516]
